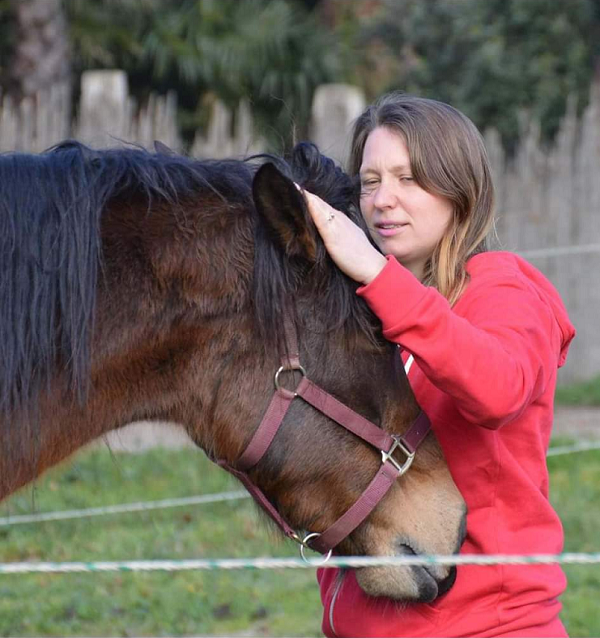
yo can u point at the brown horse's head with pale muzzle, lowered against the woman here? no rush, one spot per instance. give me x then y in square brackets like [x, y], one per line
[315, 470]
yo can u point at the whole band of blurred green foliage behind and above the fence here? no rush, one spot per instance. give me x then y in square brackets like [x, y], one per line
[495, 59]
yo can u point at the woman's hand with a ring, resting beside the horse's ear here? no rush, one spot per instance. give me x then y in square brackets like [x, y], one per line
[347, 244]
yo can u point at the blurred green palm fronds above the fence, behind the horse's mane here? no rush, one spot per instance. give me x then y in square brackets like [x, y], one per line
[273, 53]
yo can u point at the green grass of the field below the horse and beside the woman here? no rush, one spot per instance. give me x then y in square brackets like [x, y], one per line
[269, 603]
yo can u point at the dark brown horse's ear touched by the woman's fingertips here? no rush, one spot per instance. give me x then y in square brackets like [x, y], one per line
[283, 209]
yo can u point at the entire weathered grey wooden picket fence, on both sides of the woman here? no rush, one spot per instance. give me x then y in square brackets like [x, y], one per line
[548, 198]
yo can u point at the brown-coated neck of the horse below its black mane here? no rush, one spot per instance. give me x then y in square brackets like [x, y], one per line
[158, 324]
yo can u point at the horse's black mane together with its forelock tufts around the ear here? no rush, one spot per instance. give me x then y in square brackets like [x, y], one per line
[50, 250]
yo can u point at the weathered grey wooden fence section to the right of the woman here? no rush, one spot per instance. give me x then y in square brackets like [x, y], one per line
[549, 211]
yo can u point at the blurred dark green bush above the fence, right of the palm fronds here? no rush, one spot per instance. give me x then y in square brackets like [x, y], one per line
[493, 59]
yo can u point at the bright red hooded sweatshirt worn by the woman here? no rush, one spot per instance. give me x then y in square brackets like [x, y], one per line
[485, 372]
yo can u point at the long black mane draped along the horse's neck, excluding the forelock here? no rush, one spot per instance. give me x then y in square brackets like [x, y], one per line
[50, 210]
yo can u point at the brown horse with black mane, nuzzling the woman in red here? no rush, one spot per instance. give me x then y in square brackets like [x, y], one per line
[146, 285]
